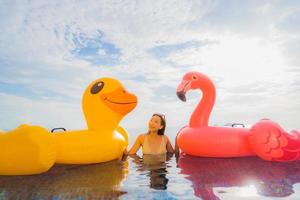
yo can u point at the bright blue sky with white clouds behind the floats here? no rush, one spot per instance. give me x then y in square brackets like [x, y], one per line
[51, 50]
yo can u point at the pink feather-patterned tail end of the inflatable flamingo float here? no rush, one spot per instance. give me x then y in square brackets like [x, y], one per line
[270, 142]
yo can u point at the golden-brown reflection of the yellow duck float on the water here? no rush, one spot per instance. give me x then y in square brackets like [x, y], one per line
[99, 181]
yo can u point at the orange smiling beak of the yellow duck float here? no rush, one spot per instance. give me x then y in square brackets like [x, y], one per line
[120, 101]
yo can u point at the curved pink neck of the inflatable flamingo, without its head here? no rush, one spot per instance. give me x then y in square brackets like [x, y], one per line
[200, 116]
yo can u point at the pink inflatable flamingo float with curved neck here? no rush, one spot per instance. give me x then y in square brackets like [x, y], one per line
[265, 139]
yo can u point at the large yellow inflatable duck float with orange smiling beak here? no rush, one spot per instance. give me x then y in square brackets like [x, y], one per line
[33, 149]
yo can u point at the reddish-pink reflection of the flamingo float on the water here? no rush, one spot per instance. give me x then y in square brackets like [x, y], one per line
[264, 178]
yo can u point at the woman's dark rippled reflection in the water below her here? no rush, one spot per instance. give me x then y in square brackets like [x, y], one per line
[155, 167]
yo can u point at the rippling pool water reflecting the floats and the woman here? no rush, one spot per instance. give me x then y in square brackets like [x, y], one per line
[160, 177]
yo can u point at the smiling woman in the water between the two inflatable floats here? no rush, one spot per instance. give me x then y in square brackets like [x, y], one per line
[154, 142]
